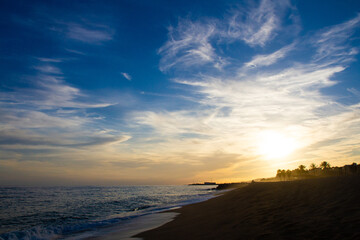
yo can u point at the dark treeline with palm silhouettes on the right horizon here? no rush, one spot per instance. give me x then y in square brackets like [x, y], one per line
[323, 170]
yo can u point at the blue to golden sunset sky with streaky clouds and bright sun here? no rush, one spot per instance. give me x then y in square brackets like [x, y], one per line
[173, 92]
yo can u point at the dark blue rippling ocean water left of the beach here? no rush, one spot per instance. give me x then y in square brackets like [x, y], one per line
[62, 212]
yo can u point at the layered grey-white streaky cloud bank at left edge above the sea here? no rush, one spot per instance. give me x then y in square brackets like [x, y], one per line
[35, 118]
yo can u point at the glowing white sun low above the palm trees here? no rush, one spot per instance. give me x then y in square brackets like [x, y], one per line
[275, 145]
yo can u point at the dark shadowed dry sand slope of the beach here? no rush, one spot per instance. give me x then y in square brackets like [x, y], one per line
[327, 208]
